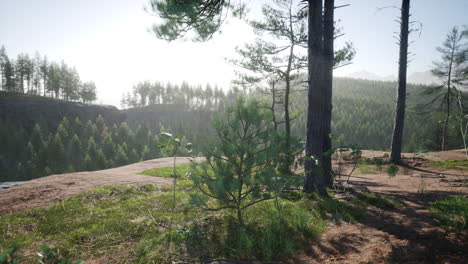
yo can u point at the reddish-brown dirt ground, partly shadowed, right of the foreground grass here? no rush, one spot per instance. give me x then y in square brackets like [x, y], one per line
[403, 235]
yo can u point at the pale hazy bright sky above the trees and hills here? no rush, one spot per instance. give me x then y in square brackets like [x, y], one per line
[108, 40]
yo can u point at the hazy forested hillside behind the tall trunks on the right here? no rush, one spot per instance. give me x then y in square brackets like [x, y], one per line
[363, 114]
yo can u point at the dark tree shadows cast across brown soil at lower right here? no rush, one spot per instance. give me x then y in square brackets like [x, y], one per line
[410, 230]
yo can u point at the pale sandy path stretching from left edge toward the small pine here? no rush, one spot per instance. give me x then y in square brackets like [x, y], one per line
[43, 191]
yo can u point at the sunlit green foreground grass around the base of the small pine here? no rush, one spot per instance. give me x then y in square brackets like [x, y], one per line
[130, 224]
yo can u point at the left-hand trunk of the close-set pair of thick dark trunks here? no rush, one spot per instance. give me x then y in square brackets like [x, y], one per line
[314, 180]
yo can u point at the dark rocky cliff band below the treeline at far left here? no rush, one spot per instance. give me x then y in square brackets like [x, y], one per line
[48, 113]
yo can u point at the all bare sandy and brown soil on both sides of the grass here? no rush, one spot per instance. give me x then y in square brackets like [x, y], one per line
[406, 234]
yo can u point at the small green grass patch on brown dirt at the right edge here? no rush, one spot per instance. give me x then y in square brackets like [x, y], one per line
[451, 212]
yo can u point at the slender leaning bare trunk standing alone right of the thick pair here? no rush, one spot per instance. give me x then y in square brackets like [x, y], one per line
[397, 139]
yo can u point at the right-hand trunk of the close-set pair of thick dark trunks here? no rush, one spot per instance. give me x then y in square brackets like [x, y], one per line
[328, 50]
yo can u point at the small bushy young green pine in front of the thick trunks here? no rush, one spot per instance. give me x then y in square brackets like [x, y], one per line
[239, 171]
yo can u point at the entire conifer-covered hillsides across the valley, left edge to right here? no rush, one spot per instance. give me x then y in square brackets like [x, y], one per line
[41, 136]
